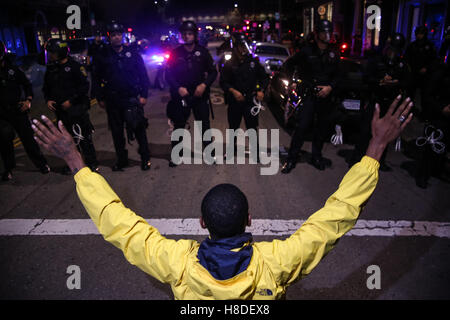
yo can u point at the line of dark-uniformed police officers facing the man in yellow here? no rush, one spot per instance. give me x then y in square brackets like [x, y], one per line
[120, 84]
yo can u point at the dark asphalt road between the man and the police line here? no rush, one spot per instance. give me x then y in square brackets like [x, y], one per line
[35, 266]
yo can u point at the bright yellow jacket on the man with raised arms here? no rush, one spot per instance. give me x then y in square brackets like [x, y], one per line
[273, 266]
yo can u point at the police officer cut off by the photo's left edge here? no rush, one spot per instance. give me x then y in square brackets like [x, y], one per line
[14, 116]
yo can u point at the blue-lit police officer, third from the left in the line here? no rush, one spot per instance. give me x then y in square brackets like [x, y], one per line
[122, 86]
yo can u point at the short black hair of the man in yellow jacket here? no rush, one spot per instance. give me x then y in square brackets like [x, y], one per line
[225, 211]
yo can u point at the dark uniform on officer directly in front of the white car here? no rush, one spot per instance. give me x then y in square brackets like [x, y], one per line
[247, 77]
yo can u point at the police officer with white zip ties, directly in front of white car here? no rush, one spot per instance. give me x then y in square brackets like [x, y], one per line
[243, 79]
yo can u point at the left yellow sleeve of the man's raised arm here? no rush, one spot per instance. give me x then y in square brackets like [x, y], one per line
[141, 243]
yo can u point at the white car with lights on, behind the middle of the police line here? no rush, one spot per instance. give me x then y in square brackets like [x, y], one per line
[270, 55]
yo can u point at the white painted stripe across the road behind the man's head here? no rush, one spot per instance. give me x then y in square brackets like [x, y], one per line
[260, 227]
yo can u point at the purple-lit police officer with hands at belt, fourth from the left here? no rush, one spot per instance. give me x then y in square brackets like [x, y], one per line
[190, 73]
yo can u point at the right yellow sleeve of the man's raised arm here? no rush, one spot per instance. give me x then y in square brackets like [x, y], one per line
[295, 257]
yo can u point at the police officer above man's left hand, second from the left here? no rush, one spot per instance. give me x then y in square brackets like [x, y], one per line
[66, 89]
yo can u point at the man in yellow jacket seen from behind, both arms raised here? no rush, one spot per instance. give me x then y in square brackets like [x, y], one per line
[228, 264]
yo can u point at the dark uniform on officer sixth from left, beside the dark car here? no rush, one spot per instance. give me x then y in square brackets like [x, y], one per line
[316, 67]
